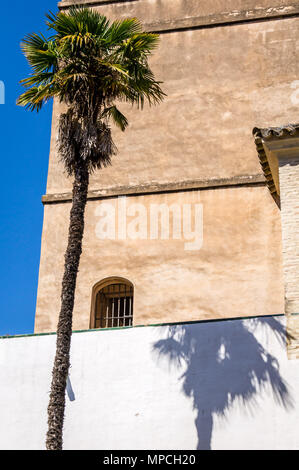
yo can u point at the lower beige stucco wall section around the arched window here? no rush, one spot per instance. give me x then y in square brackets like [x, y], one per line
[237, 271]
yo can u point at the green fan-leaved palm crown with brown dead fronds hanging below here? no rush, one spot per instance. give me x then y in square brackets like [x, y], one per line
[90, 64]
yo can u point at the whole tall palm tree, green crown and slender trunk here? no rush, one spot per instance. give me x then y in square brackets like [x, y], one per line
[90, 64]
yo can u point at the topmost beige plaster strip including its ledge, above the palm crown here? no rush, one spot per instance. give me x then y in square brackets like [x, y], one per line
[163, 15]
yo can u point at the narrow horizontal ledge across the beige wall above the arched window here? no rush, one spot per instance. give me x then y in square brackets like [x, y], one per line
[160, 188]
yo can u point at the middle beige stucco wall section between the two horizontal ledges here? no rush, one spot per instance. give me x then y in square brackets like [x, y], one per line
[220, 83]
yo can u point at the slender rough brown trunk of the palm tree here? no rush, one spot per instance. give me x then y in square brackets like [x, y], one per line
[64, 328]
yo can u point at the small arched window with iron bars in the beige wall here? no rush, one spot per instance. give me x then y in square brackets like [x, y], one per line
[114, 306]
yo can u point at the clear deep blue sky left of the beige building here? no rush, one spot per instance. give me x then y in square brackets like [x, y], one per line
[25, 139]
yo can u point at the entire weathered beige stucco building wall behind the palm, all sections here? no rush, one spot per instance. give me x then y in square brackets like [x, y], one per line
[220, 83]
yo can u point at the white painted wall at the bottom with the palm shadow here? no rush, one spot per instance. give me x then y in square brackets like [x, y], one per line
[223, 384]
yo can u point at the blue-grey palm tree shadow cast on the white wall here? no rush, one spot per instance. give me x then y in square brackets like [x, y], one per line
[224, 363]
